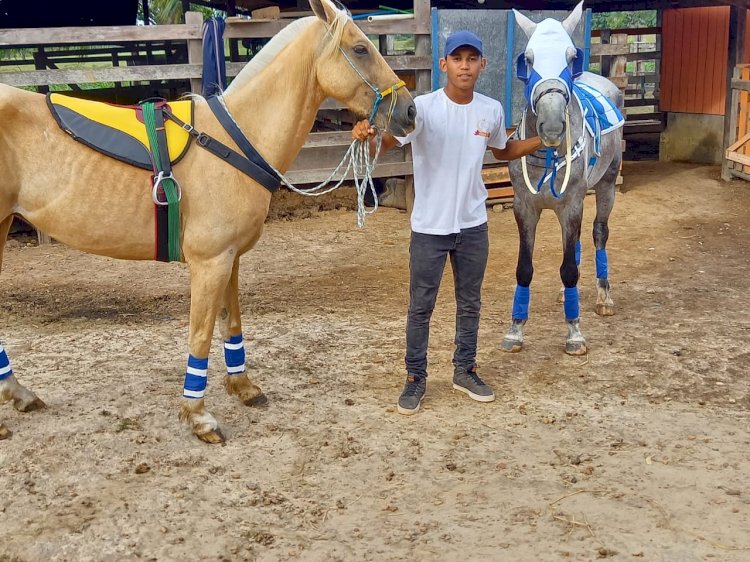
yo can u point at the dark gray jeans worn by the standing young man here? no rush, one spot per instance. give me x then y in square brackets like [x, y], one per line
[468, 252]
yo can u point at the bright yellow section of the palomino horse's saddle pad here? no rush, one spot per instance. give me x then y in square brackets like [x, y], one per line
[123, 118]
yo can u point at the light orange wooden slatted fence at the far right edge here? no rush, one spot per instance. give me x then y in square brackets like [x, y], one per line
[737, 156]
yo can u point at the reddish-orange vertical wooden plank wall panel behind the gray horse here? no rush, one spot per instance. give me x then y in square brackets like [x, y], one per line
[694, 60]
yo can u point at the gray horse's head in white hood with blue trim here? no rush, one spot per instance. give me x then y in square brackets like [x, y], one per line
[548, 67]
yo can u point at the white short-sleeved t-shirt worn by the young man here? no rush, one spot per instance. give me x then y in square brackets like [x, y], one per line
[448, 146]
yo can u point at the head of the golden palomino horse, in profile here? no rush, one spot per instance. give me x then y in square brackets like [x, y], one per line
[352, 71]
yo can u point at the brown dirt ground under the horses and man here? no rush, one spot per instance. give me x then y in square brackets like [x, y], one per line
[639, 451]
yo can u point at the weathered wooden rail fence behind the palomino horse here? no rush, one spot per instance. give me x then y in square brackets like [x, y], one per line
[321, 152]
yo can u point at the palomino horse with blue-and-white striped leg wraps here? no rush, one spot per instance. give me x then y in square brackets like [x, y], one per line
[103, 206]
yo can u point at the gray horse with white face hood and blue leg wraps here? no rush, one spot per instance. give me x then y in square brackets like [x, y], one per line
[558, 95]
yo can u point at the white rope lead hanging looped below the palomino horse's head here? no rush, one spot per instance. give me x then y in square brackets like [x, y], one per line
[357, 159]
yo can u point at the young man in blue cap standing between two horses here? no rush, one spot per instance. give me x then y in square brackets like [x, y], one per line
[454, 128]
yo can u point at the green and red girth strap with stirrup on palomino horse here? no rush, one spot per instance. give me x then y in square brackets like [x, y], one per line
[154, 121]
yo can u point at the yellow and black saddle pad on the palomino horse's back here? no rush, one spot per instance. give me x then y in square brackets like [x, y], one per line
[119, 130]
